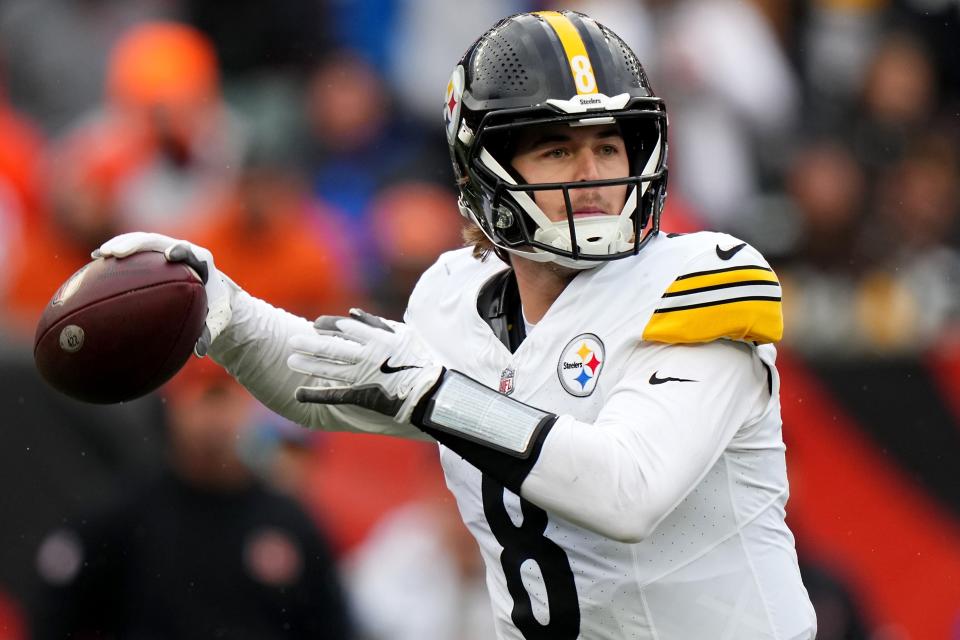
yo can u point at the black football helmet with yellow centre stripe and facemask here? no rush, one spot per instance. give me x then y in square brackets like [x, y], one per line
[551, 67]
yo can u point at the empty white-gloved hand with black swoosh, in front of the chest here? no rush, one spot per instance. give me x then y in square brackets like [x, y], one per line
[366, 361]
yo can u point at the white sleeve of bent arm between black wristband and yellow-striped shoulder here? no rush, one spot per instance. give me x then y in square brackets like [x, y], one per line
[652, 442]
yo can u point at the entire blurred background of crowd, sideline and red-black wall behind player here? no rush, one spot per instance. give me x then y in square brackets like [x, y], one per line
[301, 141]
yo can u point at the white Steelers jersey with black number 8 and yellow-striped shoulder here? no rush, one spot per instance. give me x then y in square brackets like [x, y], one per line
[640, 348]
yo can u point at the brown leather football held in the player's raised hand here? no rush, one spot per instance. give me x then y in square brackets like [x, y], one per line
[120, 327]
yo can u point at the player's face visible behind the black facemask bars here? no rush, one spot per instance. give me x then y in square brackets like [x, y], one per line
[561, 153]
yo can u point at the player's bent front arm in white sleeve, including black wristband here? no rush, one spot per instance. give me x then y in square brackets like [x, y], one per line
[623, 473]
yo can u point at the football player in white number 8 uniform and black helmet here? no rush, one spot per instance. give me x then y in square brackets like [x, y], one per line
[604, 395]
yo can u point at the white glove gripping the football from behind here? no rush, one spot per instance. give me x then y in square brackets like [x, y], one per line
[219, 288]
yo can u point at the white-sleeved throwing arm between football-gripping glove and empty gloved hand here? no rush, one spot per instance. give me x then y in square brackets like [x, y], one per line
[254, 349]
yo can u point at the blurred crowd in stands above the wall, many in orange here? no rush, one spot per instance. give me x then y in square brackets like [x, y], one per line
[823, 131]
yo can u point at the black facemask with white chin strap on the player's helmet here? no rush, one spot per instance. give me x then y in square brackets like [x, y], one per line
[516, 223]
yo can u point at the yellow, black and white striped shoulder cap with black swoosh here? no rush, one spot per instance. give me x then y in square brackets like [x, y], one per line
[727, 290]
